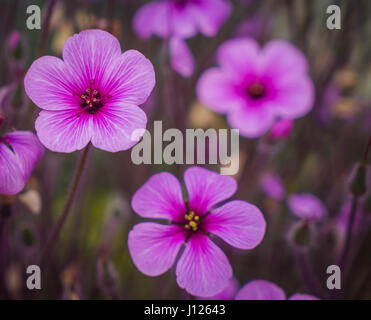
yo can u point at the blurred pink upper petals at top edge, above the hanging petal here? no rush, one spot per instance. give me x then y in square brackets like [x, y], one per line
[181, 18]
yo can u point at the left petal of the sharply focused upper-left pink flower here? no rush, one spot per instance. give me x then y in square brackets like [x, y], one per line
[49, 83]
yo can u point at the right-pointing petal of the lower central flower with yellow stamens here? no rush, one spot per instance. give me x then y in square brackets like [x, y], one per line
[239, 223]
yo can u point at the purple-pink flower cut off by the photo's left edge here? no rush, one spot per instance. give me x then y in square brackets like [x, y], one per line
[19, 153]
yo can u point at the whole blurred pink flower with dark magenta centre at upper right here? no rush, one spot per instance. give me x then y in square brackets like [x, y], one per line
[254, 87]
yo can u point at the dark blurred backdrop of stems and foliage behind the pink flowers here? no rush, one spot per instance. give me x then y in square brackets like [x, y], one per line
[318, 156]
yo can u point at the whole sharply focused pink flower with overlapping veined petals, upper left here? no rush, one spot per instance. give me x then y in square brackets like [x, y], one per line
[91, 95]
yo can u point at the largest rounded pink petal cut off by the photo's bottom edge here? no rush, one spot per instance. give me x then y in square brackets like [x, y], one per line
[261, 290]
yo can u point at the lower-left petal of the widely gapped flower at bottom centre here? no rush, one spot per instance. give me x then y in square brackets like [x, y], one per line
[154, 247]
